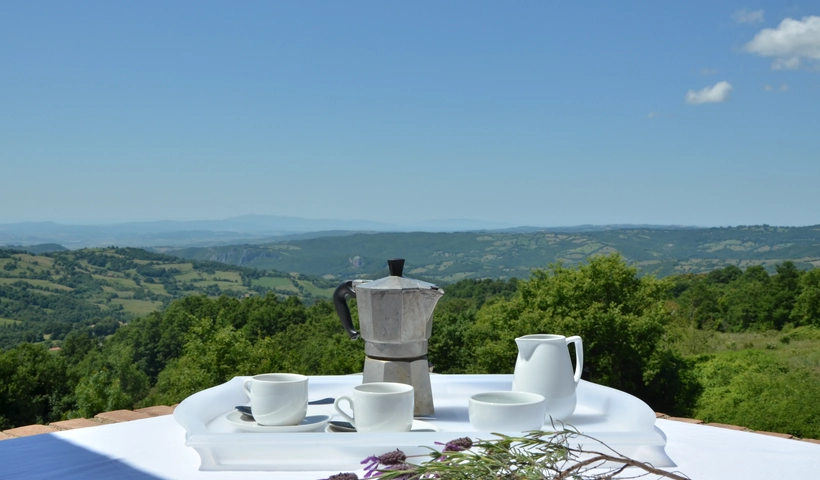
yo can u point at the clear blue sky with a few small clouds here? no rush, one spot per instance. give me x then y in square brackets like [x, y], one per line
[522, 113]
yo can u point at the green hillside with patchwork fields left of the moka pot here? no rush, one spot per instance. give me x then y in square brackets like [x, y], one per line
[44, 296]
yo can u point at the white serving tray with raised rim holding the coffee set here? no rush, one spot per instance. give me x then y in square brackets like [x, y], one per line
[621, 421]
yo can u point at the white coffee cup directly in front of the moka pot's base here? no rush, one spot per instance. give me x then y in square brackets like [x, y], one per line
[379, 407]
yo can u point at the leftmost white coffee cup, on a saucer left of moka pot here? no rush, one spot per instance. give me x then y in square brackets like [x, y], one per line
[277, 398]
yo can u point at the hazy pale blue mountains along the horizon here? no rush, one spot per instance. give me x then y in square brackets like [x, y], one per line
[246, 229]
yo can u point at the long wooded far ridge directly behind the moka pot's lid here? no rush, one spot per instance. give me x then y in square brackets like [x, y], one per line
[449, 257]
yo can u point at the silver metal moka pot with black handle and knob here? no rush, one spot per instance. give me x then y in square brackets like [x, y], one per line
[396, 320]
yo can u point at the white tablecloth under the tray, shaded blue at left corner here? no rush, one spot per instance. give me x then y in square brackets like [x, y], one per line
[155, 448]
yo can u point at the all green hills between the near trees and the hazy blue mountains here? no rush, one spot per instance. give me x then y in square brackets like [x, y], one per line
[43, 296]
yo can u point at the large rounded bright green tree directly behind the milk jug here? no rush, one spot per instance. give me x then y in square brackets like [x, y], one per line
[620, 316]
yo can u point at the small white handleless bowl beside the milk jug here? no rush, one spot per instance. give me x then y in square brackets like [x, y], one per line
[507, 411]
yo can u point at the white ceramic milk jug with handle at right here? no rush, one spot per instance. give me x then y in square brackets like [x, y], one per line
[543, 366]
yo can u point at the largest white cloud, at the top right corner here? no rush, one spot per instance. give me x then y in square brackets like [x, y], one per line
[790, 43]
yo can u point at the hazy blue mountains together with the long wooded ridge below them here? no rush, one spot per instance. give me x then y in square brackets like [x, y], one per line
[339, 249]
